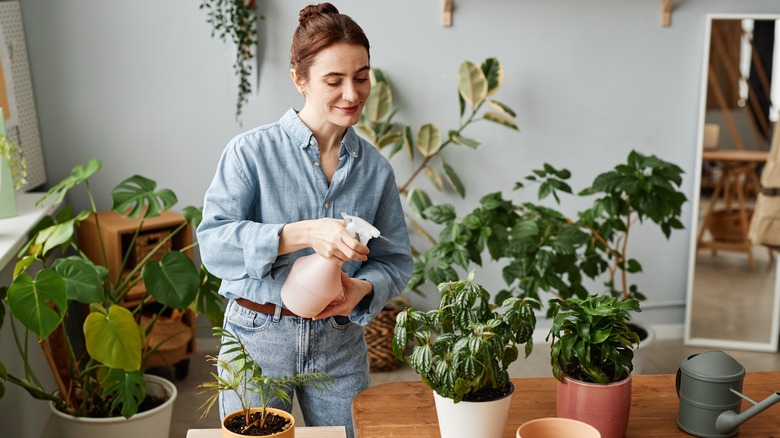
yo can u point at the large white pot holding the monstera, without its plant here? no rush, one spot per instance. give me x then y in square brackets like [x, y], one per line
[155, 423]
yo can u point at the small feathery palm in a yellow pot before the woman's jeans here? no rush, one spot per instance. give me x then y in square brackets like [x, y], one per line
[242, 376]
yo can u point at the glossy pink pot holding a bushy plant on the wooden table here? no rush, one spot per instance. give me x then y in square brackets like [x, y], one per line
[605, 407]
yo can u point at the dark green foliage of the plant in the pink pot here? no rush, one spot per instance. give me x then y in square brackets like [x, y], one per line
[591, 341]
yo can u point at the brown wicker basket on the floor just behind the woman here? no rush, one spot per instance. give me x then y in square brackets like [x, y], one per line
[379, 337]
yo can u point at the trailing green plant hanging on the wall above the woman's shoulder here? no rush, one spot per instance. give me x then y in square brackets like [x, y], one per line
[236, 20]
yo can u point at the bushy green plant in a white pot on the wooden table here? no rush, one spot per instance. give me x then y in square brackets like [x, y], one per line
[462, 351]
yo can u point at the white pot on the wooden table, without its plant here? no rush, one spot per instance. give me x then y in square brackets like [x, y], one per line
[472, 419]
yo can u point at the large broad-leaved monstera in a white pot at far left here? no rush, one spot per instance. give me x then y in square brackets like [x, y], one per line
[98, 369]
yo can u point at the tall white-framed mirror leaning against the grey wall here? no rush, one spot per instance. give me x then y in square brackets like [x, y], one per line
[733, 290]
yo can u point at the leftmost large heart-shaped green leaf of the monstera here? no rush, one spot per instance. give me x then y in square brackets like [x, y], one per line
[39, 304]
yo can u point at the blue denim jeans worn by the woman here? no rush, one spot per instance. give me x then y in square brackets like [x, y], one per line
[285, 346]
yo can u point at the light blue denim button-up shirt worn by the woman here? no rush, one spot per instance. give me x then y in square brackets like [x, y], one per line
[270, 176]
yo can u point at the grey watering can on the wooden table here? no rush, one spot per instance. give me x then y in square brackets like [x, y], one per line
[709, 387]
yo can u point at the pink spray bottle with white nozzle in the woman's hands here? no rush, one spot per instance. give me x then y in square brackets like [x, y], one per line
[314, 281]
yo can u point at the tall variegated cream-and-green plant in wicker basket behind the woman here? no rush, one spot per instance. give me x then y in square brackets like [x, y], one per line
[477, 86]
